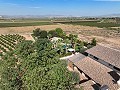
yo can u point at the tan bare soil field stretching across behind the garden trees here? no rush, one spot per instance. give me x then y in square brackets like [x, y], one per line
[107, 37]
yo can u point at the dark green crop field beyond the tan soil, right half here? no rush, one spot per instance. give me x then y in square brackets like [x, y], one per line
[93, 24]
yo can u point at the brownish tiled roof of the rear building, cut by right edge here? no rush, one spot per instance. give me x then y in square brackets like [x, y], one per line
[107, 54]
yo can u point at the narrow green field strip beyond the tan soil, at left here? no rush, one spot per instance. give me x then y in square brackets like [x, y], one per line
[19, 24]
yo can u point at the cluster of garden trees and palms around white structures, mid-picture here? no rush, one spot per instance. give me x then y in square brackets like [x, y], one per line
[61, 42]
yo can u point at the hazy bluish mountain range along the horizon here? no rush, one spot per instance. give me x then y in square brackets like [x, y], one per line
[55, 16]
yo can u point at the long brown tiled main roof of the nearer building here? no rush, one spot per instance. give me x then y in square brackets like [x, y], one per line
[98, 72]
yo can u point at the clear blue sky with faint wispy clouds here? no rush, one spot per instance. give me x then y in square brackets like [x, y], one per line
[60, 7]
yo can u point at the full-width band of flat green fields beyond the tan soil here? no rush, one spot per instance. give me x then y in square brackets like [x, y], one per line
[35, 22]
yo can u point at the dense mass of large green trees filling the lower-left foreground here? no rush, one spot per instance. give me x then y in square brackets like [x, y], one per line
[35, 66]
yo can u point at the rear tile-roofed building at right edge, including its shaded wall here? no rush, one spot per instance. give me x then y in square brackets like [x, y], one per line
[105, 55]
